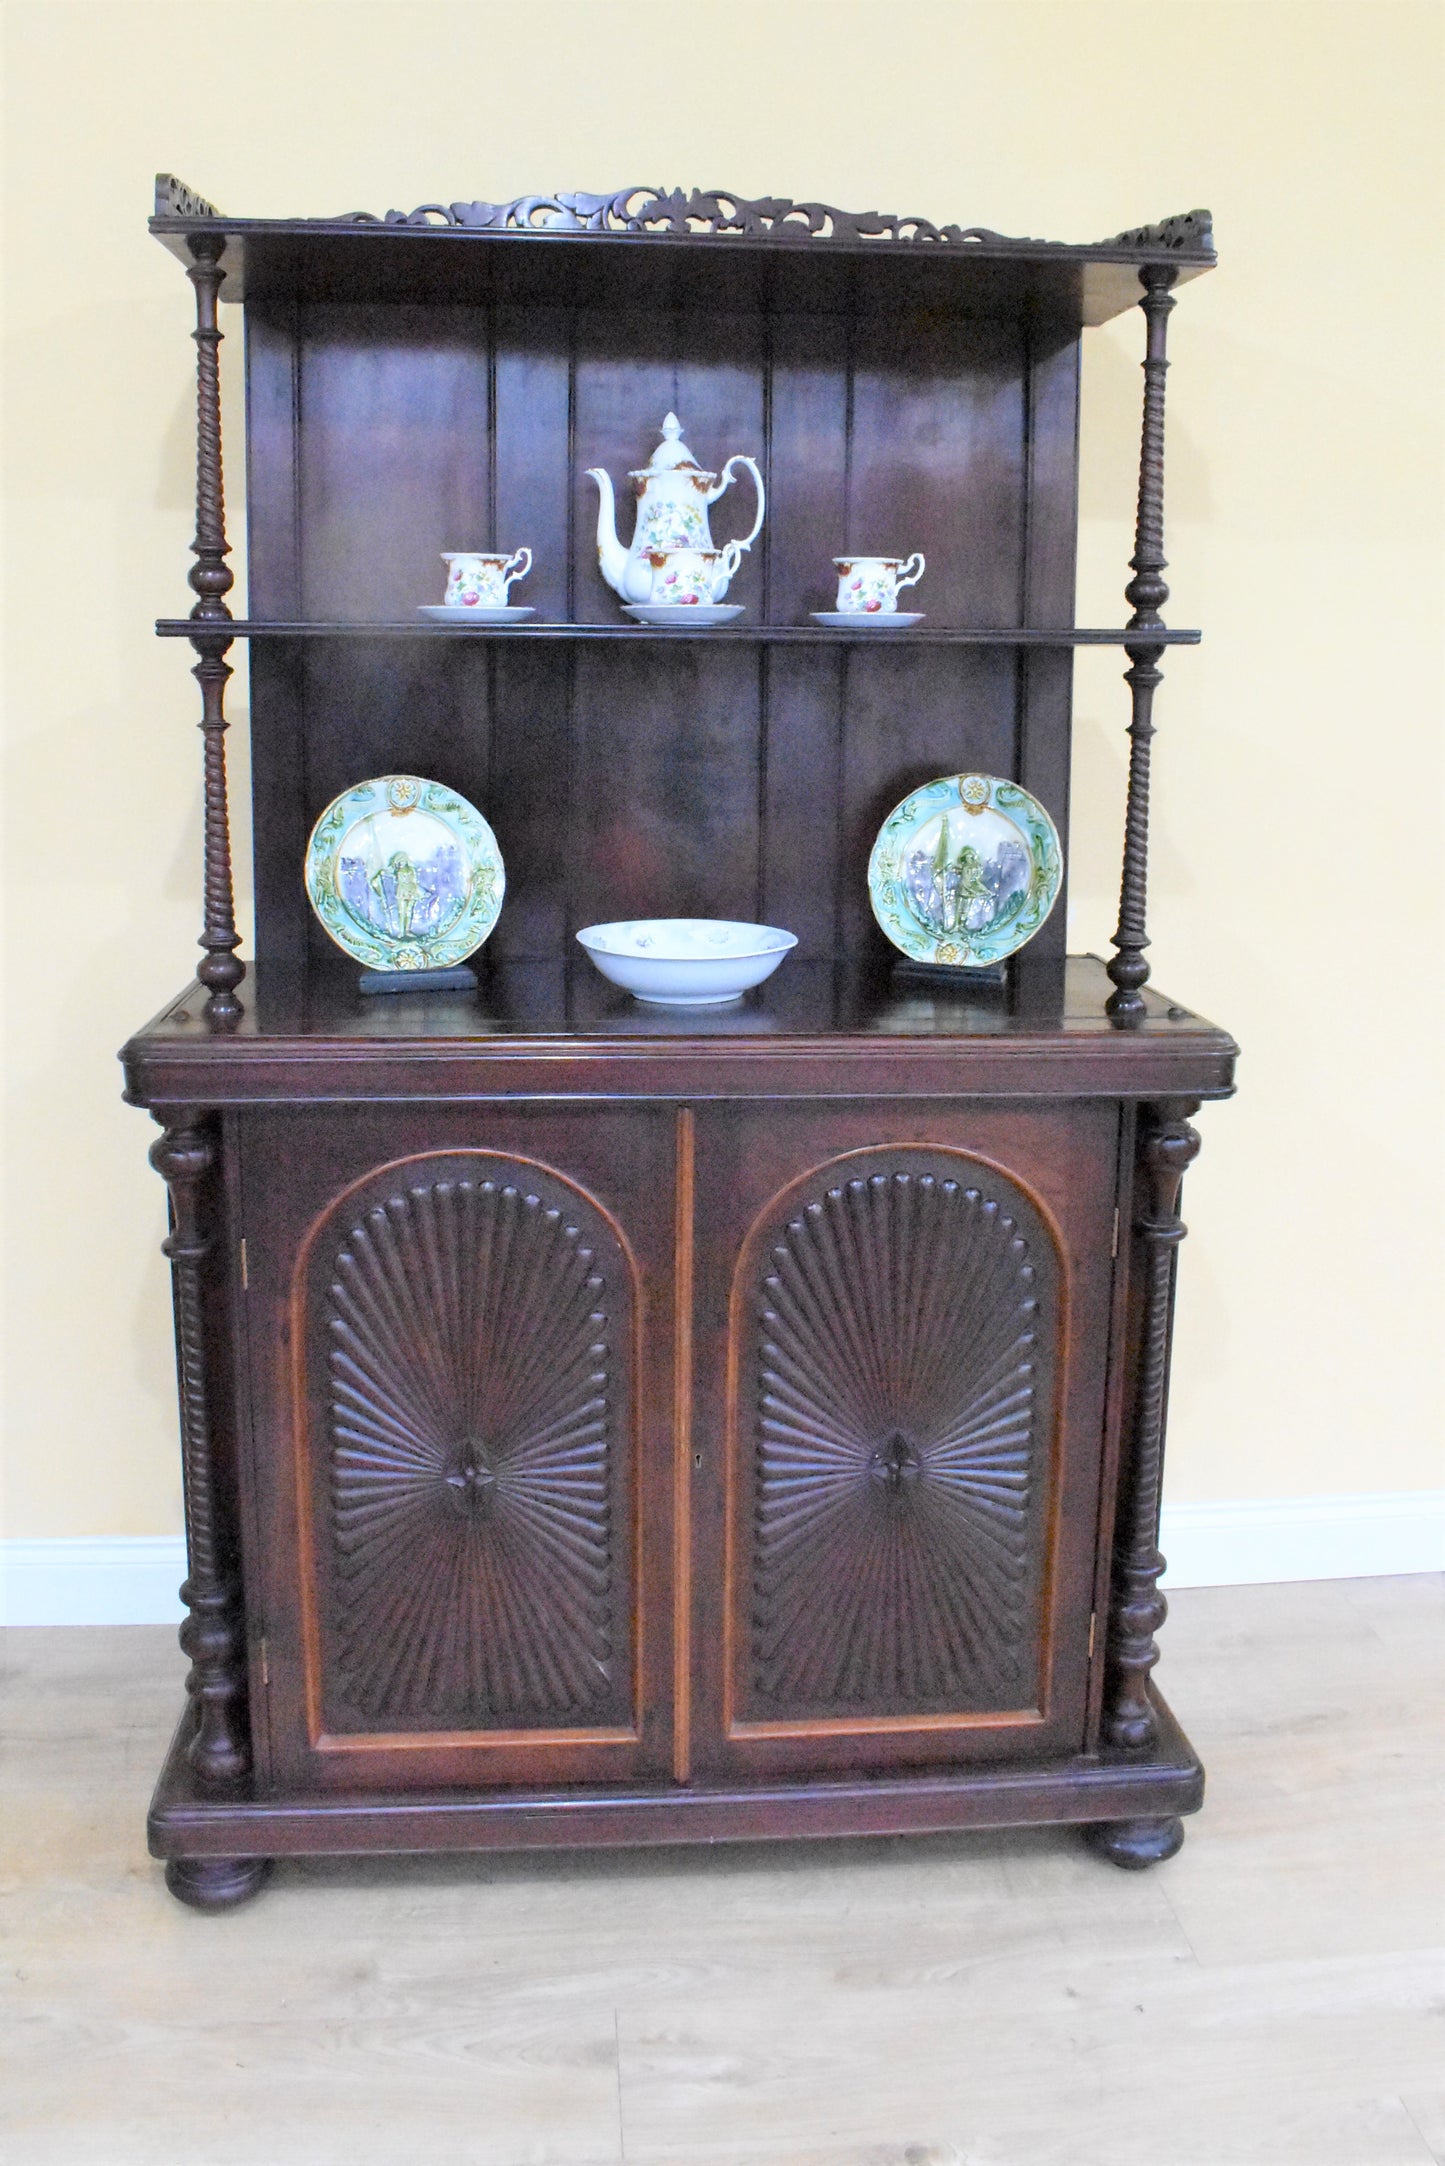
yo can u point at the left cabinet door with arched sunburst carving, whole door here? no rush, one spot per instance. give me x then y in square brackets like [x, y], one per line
[460, 1376]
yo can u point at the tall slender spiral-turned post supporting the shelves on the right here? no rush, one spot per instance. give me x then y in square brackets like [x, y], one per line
[1147, 595]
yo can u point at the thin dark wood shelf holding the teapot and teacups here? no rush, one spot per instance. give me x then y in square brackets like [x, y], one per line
[820, 636]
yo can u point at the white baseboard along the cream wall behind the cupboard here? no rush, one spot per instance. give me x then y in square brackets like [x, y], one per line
[133, 1580]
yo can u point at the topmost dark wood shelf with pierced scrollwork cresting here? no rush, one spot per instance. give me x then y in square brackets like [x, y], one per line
[679, 244]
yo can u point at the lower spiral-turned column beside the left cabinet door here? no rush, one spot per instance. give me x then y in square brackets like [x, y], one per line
[211, 1636]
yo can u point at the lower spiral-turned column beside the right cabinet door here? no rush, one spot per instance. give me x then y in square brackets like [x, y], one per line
[1167, 1149]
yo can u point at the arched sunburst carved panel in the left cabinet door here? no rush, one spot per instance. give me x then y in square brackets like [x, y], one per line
[471, 1333]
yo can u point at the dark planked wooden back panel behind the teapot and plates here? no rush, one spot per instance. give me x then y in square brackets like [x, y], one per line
[655, 777]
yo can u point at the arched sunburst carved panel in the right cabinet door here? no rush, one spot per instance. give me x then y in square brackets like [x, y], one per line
[902, 1318]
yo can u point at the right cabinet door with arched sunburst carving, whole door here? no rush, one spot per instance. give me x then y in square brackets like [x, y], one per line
[900, 1400]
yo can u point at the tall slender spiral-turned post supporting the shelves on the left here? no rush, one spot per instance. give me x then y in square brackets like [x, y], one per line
[211, 577]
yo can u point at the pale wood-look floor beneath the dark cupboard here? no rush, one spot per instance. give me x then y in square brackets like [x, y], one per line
[1273, 1998]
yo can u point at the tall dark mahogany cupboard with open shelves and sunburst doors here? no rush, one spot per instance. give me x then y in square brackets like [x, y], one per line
[614, 1426]
